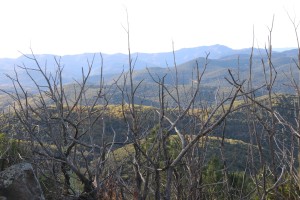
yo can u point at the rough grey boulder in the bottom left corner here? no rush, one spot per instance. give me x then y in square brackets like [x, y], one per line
[19, 182]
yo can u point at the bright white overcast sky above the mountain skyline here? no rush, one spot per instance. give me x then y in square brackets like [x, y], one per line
[65, 27]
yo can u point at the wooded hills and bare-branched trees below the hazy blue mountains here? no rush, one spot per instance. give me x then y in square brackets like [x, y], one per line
[161, 135]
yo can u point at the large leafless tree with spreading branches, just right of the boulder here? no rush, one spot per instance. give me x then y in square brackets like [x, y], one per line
[59, 127]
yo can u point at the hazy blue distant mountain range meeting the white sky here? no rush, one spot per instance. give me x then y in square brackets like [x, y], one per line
[221, 58]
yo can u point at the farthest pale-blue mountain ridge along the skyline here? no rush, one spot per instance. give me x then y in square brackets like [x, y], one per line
[116, 63]
